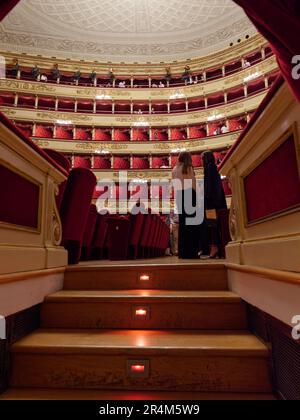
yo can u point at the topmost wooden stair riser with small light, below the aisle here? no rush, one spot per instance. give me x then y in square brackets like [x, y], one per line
[160, 279]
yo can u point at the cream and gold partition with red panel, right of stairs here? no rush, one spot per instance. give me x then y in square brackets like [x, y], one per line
[264, 171]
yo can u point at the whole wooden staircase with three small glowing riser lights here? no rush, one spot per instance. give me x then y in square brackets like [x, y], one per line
[154, 332]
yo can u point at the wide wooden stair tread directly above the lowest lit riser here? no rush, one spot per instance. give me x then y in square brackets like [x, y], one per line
[219, 343]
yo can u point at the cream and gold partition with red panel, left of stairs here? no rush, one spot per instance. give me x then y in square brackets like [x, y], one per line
[30, 227]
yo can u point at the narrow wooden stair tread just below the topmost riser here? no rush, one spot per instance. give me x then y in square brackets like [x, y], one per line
[92, 296]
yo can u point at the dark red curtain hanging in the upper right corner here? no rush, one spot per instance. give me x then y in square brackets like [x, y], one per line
[279, 22]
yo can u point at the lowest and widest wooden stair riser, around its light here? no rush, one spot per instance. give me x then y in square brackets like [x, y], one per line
[184, 373]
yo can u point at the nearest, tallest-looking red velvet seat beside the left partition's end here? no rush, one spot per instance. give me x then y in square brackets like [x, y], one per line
[75, 210]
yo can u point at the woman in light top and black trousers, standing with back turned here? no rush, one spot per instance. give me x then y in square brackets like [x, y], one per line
[186, 201]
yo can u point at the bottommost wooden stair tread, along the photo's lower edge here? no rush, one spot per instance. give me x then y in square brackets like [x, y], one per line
[50, 394]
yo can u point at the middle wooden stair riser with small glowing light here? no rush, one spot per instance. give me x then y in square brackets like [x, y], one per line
[198, 316]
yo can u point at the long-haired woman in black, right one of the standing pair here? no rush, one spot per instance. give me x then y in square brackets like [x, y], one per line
[214, 200]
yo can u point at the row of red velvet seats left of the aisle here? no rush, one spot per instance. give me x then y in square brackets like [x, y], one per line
[88, 235]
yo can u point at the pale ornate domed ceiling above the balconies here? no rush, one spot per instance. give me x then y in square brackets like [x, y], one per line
[123, 30]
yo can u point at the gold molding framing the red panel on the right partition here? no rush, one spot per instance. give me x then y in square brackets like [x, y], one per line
[291, 131]
